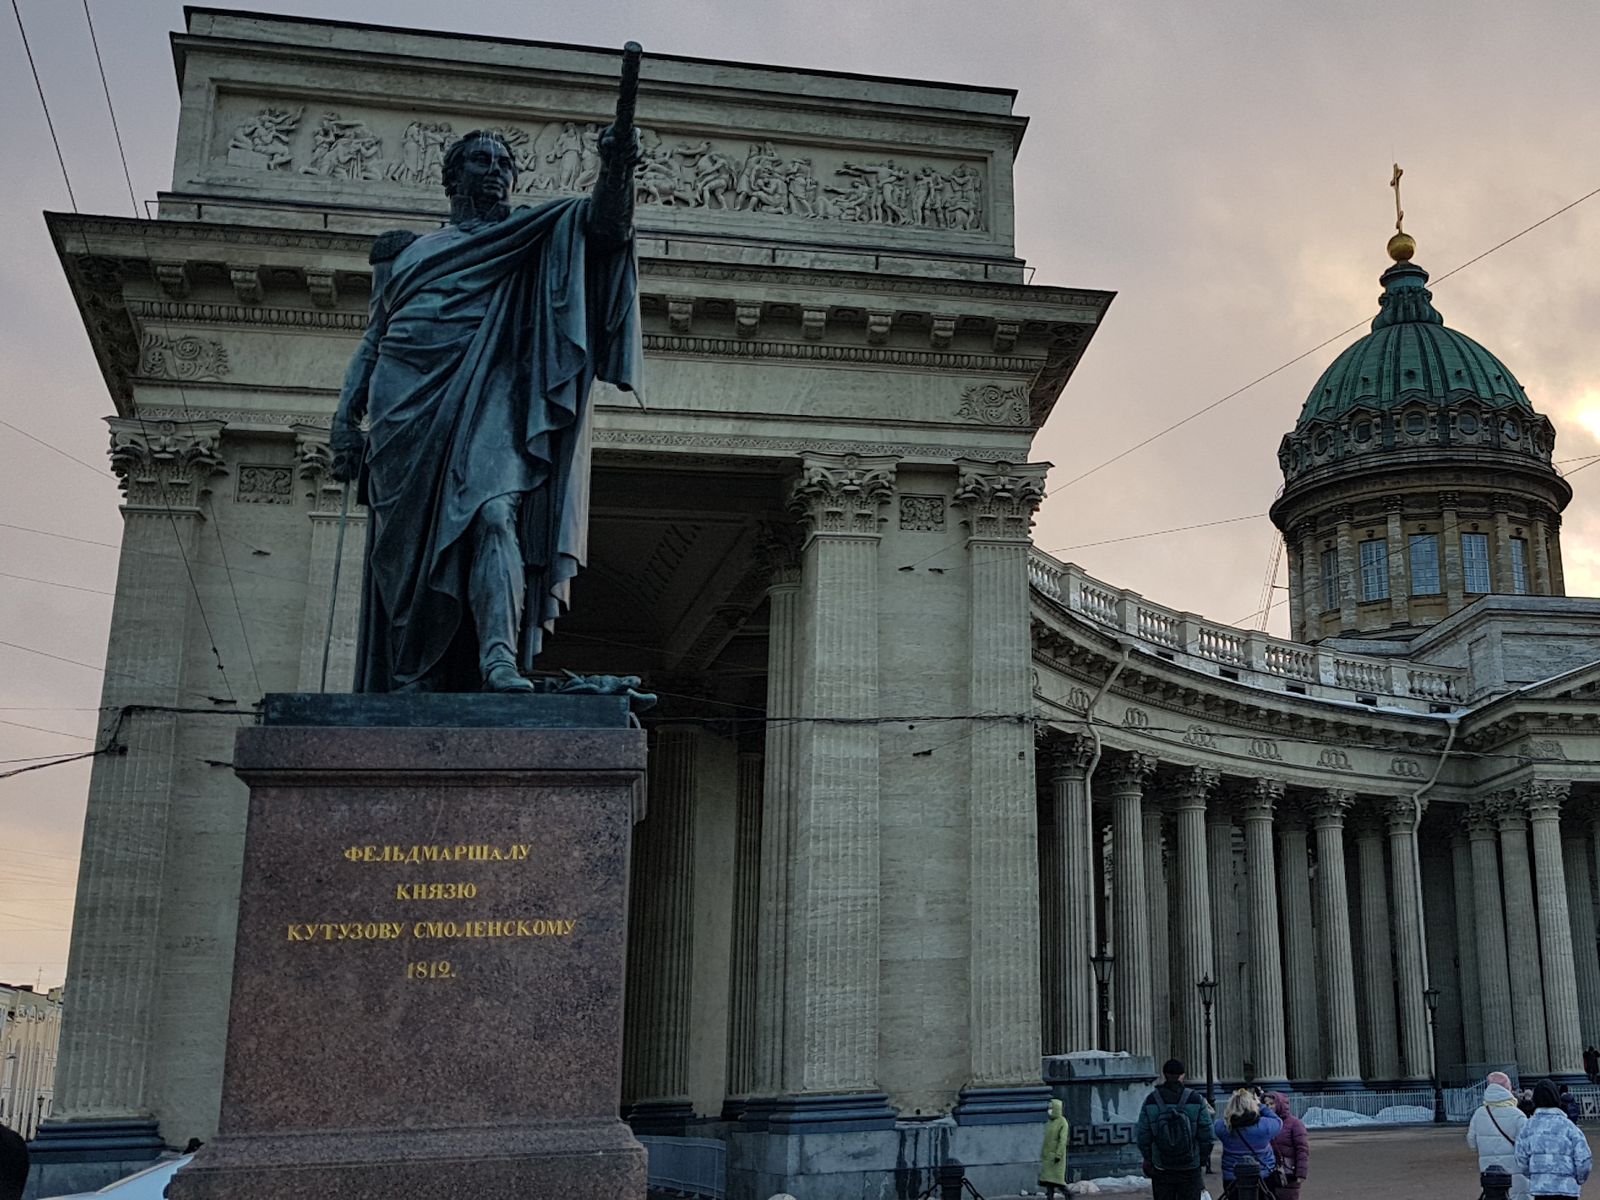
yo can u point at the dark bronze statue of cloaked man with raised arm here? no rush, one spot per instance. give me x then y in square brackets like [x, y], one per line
[474, 383]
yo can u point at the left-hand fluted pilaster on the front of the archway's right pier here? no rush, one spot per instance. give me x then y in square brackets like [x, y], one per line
[831, 1042]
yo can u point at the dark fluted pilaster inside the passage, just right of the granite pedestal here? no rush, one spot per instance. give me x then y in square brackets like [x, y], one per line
[662, 940]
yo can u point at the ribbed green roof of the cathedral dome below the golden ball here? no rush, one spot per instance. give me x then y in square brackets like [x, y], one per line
[1410, 356]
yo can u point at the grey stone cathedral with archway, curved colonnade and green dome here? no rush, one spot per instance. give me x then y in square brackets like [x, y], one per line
[910, 775]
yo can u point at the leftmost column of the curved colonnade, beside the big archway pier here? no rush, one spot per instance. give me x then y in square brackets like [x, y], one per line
[1070, 895]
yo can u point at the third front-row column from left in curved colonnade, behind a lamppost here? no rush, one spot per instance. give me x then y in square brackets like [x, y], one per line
[1194, 958]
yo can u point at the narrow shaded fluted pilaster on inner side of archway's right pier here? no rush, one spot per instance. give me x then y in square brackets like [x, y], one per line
[780, 766]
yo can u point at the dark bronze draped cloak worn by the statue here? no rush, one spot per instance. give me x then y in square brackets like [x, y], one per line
[486, 343]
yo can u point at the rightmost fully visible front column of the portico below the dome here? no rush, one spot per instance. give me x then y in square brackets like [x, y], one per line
[1545, 801]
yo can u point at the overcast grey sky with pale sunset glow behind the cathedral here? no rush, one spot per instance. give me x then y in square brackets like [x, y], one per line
[1223, 167]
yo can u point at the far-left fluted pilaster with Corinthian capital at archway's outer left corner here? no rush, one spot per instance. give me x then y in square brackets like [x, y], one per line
[166, 470]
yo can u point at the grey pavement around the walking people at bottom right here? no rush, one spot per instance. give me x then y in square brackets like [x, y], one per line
[1418, 1164]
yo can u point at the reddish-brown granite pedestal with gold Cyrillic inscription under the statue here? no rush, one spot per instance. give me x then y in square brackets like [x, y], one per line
[428, 985]
